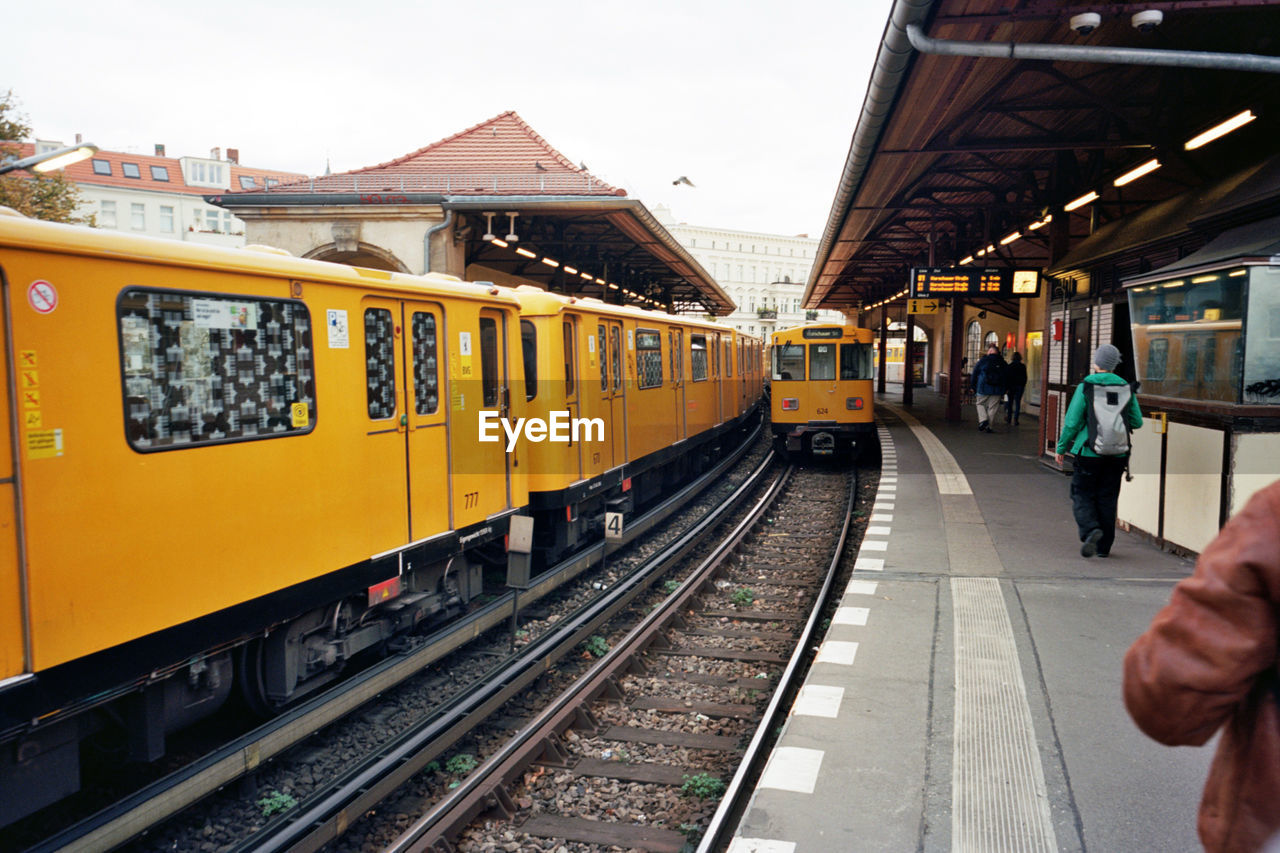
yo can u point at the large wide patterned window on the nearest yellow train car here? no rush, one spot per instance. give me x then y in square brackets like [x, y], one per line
[209, 370]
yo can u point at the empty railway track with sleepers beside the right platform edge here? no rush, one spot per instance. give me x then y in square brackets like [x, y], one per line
[659, 741]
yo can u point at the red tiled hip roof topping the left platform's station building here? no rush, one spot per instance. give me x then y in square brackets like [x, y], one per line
[496, 158]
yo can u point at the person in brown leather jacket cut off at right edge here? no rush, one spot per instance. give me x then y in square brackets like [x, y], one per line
[1210, 659]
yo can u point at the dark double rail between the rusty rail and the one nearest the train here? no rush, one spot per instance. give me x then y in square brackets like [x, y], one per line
[327, 815]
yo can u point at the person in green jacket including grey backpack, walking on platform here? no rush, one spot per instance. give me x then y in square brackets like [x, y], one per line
[1103, 413]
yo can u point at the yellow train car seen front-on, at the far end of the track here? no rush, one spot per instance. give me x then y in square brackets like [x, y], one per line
[821, 396]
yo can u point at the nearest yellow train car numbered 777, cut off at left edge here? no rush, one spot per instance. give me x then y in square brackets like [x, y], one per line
[226, 469]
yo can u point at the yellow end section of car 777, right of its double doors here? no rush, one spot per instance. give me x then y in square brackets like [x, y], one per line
[479, 373]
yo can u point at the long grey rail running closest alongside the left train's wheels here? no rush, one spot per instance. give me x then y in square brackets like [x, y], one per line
[164, 799]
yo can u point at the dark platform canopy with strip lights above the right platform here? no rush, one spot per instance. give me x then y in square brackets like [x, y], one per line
[985, 120]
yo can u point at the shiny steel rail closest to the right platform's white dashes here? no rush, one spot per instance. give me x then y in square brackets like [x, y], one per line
[737, 795]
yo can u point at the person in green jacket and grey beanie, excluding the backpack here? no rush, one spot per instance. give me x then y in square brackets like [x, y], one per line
[1096, 480]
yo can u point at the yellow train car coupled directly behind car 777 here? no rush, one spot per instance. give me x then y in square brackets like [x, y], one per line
[655, 399]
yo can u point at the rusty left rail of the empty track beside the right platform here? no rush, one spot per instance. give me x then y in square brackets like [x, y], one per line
[487, 786]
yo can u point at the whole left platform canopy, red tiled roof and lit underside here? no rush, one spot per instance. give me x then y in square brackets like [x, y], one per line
[500, 179]
